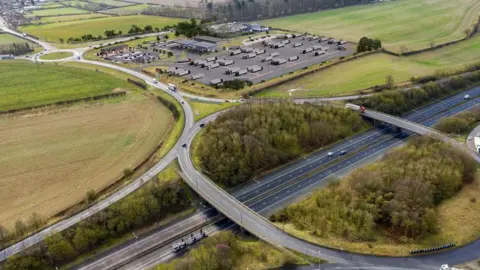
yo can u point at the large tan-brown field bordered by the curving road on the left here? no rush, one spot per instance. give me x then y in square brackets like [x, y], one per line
[58, 154]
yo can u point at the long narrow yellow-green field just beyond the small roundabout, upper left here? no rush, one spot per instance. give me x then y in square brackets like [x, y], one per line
[54, 31]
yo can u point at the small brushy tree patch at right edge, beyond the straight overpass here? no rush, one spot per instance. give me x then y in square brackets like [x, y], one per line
[461, 123]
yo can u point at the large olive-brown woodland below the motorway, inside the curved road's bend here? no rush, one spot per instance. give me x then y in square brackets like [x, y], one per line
[399, 193]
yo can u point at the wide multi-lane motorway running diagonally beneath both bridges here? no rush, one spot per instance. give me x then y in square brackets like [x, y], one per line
[275, 190]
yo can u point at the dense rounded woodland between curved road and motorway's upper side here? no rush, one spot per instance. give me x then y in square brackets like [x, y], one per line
[252, 138]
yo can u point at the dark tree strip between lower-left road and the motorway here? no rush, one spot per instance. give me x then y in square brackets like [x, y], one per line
[153, 202]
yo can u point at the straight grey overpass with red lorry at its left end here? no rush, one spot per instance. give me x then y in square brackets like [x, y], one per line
[413, 127]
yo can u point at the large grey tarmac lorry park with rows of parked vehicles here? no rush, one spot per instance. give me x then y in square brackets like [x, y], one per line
[240, 59]
